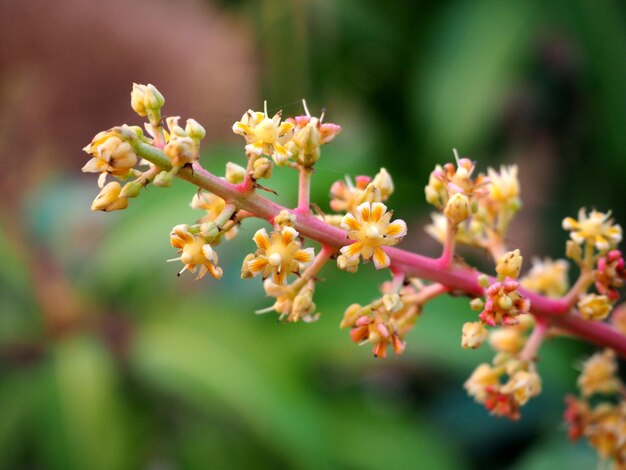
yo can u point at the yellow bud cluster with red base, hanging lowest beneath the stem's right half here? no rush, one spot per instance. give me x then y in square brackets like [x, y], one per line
[505, 385]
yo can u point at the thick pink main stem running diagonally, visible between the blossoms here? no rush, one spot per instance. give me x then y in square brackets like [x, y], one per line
[457, 279]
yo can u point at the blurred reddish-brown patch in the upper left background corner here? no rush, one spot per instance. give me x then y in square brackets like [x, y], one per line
[64, 60]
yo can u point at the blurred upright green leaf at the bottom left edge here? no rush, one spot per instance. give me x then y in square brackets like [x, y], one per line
[82, 421]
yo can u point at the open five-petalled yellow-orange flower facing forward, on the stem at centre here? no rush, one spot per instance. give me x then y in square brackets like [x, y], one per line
[369, 226]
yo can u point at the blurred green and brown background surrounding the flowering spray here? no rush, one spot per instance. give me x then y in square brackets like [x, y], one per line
[108, 361]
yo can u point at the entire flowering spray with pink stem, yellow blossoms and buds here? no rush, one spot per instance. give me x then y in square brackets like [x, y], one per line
[515, 313]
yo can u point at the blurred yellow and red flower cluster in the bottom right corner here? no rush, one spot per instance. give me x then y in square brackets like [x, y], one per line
[599, 414]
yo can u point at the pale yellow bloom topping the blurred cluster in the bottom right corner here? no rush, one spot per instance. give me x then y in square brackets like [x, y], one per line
[599, 374]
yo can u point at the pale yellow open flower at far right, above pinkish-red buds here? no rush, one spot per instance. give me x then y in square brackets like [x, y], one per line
[597, 229]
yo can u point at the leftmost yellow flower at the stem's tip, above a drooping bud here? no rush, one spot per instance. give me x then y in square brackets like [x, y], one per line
[110, 155]
